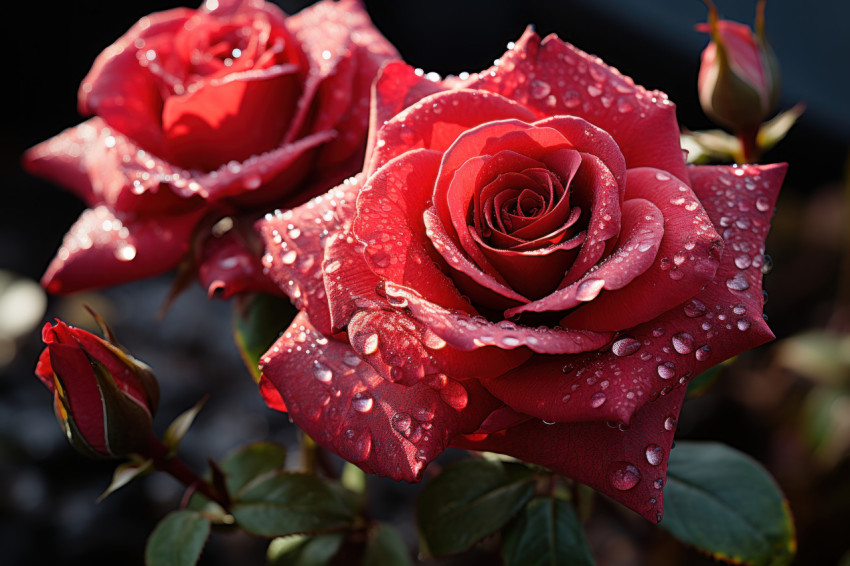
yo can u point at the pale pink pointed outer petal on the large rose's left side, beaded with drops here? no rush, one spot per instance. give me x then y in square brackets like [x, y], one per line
[295, 247]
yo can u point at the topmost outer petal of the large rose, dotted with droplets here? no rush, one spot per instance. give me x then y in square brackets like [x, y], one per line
[642, 122]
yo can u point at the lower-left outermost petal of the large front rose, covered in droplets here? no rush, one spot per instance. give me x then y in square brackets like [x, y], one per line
[385, 428]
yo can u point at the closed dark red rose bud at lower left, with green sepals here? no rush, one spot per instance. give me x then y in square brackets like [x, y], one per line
[104, 398]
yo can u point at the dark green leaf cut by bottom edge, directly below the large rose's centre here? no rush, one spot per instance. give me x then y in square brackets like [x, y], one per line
[547, 533]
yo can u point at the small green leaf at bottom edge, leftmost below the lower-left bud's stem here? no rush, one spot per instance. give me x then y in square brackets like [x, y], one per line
[177, 540]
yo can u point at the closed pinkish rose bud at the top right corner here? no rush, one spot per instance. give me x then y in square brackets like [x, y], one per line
[739, 77]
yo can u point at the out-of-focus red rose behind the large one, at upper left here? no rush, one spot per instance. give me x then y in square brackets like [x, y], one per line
[208, 113]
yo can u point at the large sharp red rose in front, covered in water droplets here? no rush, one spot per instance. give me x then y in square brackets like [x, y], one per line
[528, 266]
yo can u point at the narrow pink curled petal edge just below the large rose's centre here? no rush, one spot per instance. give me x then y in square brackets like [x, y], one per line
[466, 332]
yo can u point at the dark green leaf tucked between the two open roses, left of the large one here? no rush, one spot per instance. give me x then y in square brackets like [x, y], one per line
[257, 322]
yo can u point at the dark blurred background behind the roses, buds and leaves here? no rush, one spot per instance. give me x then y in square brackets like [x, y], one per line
[47, 492]
